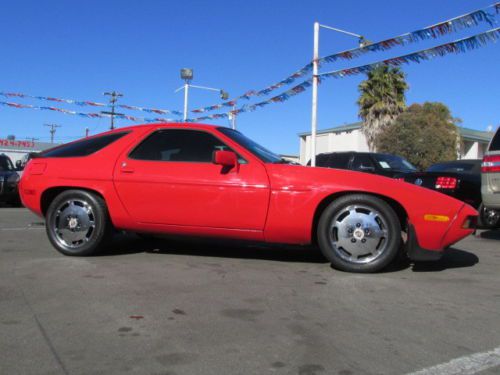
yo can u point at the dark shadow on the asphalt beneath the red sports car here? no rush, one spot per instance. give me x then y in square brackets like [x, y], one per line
[131, 244]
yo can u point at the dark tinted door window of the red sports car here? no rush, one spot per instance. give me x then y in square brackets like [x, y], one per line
[178, 145]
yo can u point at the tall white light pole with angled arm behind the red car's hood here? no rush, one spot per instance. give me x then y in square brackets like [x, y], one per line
[363, 42]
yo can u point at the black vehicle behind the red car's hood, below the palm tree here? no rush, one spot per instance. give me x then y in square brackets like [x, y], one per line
[369, 162]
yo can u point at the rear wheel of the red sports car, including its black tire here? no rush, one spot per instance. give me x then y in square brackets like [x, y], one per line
[77, 223]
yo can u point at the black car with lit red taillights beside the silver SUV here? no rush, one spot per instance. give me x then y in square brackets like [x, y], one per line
[460, 179]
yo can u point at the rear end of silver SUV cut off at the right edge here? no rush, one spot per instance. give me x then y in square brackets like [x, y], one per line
[490, 180]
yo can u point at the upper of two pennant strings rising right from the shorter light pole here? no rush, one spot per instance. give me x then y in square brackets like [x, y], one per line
[431, 32]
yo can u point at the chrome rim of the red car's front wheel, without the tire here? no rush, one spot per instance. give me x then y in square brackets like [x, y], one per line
[359, 234]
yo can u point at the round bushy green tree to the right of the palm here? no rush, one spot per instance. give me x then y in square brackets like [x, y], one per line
[423, 134]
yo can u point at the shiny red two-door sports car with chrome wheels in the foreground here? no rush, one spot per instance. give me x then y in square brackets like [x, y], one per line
[203, 180]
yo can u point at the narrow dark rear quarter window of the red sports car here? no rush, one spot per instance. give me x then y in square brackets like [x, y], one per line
[82, 148]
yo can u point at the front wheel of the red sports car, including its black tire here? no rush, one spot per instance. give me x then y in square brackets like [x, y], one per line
[344, 225]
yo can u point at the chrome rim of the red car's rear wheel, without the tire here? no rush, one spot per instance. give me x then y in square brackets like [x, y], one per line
[73, 223]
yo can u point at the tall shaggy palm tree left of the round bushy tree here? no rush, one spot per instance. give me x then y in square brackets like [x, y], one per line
[381, 100]
